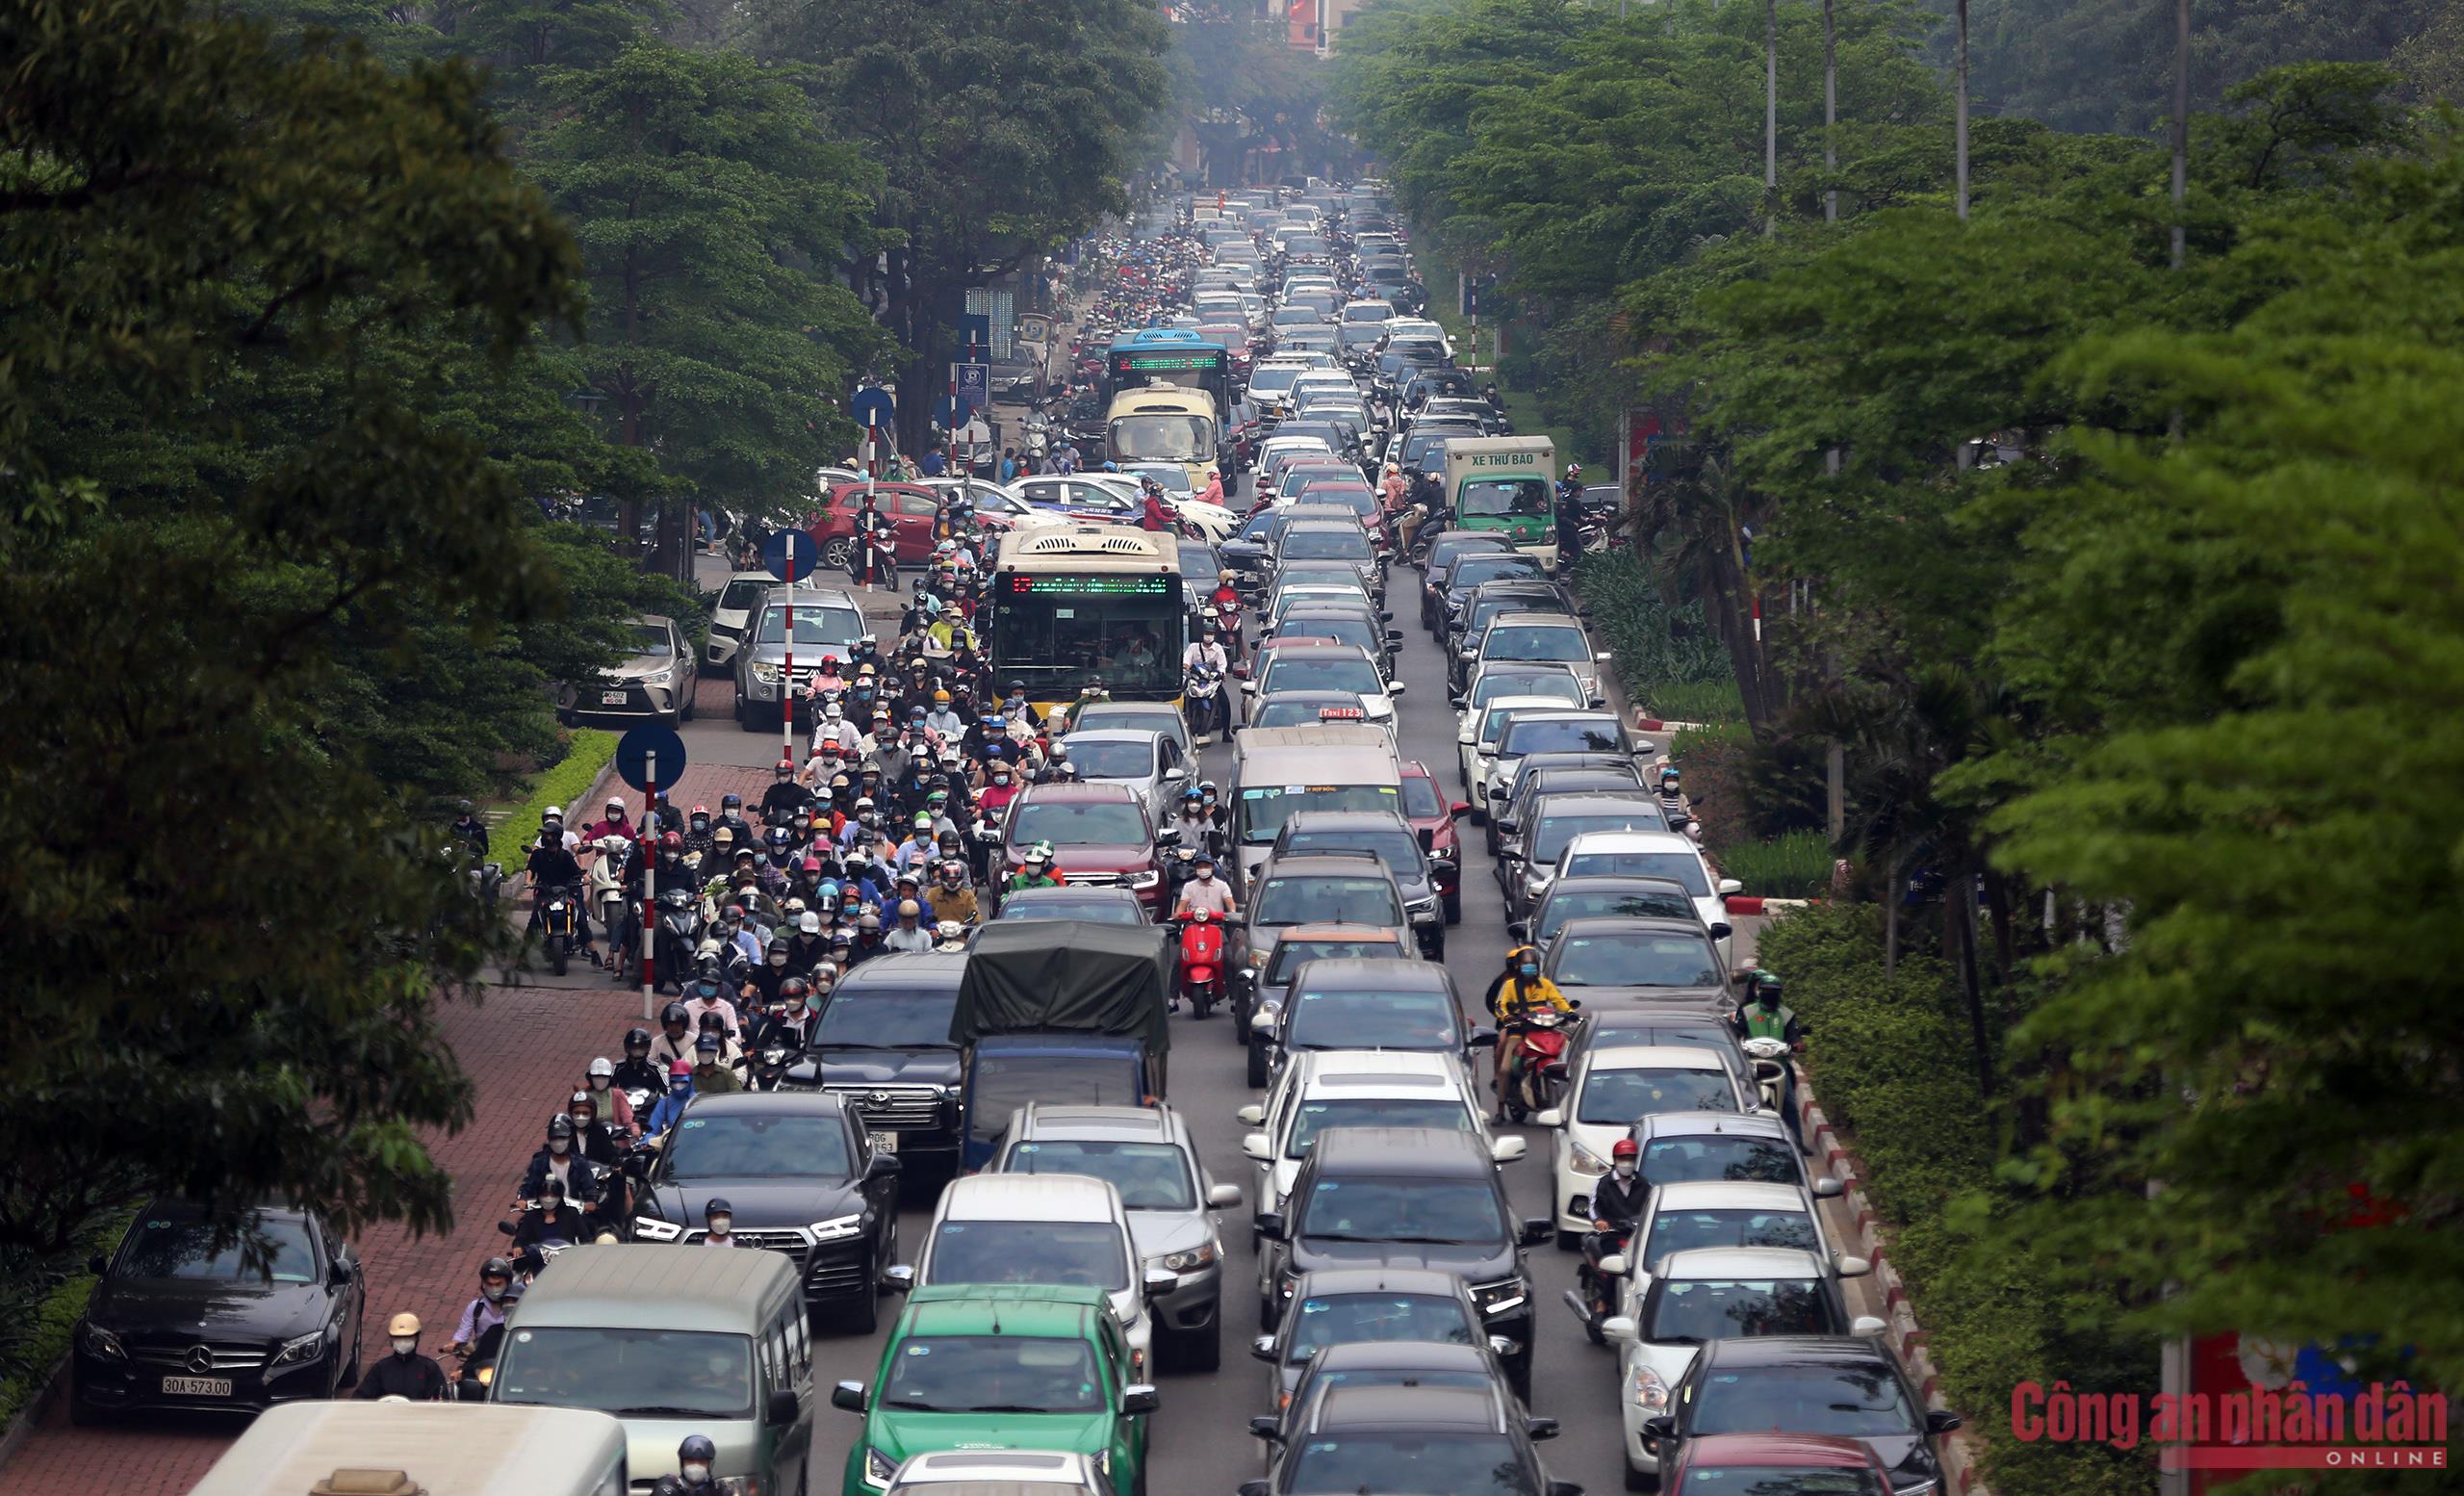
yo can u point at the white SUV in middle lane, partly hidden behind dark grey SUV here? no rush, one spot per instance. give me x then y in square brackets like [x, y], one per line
[1359, 1088]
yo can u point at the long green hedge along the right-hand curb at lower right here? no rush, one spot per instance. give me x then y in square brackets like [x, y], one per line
[1891, 1063]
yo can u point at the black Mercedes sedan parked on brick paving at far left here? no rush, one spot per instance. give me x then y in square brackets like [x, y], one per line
[257, 1312]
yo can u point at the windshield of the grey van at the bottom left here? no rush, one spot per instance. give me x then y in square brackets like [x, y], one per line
[630, 1372]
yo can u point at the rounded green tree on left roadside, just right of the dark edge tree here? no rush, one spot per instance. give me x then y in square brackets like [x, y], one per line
[711, 211]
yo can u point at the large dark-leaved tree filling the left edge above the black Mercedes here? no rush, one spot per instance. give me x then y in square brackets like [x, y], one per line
[235, 935]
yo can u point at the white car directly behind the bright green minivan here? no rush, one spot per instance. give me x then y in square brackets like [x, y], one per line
[1041, 1229]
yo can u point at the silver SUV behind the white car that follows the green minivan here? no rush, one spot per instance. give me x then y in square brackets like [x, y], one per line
[1147, 1155]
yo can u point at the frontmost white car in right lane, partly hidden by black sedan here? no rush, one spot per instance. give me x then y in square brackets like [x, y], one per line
[1719, 1295]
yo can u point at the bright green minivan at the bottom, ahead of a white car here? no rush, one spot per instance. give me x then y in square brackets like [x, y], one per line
[1002, 1367]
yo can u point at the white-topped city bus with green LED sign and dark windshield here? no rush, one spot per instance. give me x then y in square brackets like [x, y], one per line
[1088, 603]
